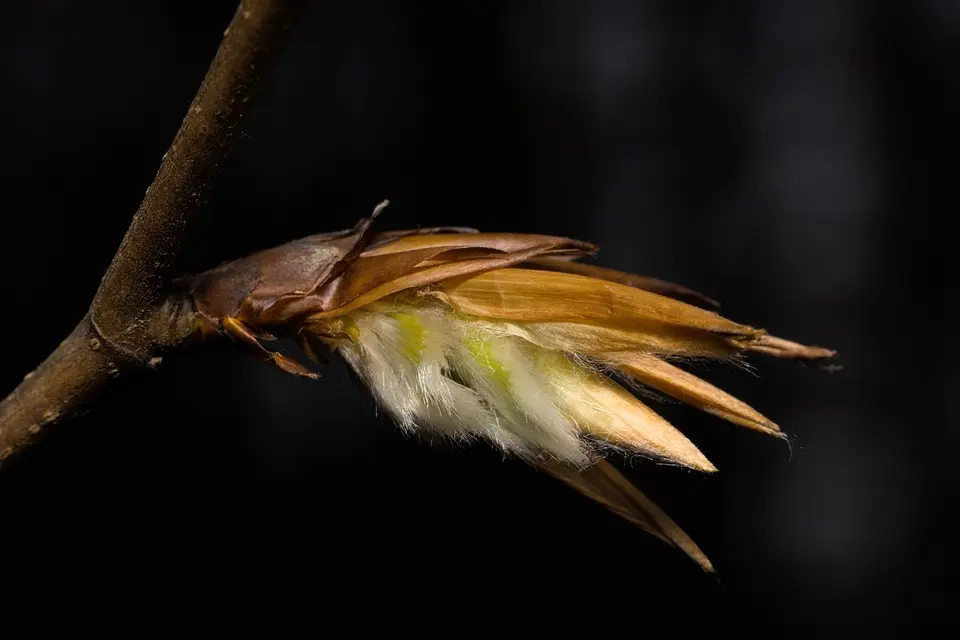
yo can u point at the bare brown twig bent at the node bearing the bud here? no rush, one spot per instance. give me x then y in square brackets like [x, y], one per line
[133, 319]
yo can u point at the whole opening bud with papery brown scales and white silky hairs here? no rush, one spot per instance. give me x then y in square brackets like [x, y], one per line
[505, 338]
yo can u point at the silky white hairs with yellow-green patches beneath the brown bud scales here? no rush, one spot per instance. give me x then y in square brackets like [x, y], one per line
[465, 379]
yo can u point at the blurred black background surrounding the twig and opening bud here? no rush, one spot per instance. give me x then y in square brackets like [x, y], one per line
[790, 158]
